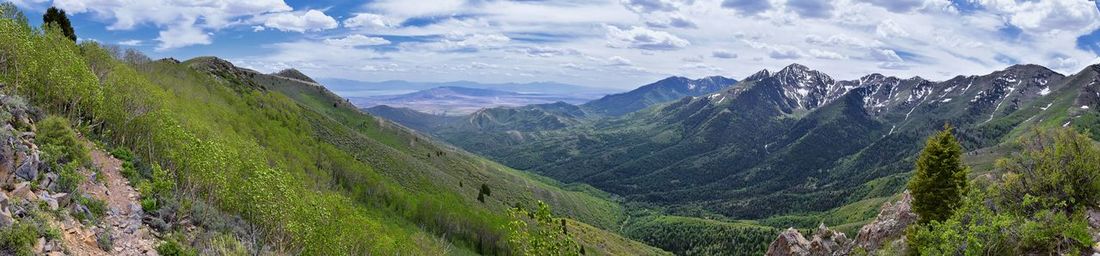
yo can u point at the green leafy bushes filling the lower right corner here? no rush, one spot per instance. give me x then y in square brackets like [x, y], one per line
[1037, 209]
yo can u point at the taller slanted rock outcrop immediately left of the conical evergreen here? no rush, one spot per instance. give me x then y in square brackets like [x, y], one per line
[890, 225]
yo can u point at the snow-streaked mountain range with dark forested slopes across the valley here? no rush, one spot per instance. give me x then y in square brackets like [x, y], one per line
[794, 142]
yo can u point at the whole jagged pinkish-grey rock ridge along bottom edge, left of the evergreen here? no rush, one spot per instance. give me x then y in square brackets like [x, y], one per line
[889, 227]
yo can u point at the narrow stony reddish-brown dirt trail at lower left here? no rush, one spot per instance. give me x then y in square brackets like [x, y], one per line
[124, 215]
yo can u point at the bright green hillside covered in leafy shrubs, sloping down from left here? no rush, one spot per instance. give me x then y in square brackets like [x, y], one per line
[300, 165]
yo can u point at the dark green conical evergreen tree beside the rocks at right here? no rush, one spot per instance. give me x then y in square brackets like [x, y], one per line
[941, 179]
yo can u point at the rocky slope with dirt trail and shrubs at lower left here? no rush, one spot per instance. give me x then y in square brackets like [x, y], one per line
[102, 216]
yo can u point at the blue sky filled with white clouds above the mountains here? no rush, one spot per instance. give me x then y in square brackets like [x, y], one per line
[601, 43]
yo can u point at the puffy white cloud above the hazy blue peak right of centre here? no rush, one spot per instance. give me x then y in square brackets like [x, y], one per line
[644, 39]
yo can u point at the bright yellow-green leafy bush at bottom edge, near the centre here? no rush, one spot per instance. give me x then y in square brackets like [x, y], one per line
[538, 233]
